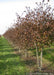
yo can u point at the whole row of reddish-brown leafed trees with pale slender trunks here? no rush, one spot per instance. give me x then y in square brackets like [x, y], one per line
[34, 30]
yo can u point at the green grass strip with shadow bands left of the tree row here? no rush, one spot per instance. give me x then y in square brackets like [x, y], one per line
[10, 63]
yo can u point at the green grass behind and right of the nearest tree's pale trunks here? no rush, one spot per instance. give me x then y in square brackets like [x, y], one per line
[48, 56]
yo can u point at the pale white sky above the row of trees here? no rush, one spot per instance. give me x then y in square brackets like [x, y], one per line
[9, 8]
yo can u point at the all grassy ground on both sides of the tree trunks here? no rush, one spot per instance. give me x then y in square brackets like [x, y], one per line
[11, 63]
